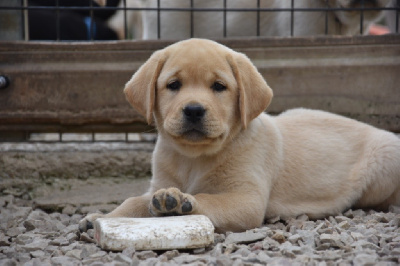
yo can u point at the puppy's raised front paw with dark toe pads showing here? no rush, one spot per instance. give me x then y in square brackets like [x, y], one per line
[171, 201]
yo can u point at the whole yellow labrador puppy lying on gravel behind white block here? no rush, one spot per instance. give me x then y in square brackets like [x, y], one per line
[219, 155]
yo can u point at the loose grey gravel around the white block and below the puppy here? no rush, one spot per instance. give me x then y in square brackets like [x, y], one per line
[31, 236]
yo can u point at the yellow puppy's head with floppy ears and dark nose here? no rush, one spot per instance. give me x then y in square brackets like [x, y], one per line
[200, 93]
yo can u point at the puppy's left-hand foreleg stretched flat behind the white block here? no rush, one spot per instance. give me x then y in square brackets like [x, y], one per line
[131, 207]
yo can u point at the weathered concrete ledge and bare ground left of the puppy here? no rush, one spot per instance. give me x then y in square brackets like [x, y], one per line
[73, 178]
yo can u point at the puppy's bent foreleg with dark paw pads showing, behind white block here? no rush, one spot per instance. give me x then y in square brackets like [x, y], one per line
[227, 211]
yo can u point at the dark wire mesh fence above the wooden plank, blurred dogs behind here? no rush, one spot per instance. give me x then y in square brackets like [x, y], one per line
[176, 19]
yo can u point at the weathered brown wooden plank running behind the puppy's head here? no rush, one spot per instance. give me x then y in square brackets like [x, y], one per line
[78, 86]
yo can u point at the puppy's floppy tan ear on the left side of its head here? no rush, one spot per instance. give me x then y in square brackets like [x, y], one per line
[140, 90]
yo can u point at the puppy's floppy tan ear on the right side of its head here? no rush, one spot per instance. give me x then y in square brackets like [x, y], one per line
[254, 93]
